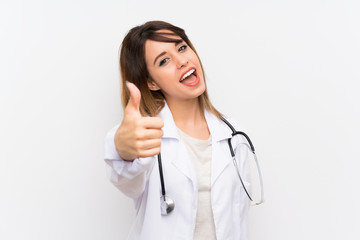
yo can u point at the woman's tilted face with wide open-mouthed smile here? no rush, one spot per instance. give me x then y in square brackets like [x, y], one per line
[174, 69]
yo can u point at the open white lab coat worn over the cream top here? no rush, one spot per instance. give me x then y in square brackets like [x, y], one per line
[140, 180]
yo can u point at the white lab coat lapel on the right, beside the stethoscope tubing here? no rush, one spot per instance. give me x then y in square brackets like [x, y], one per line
[220, 157]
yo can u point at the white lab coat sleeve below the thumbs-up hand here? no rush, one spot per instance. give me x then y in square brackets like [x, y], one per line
[129, 177]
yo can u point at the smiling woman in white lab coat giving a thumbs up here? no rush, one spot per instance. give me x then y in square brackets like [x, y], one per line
[166, 105]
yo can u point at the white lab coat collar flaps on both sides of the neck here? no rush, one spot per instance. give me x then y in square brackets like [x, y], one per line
[218, 129]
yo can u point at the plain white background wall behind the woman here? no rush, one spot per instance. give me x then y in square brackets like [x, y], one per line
[287, 70]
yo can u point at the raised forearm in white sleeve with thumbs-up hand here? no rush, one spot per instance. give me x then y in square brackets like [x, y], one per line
[131, 146]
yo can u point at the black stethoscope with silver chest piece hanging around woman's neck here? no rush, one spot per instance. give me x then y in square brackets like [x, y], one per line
[167, 205]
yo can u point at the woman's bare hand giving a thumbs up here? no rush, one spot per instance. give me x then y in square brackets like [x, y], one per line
[137, 136]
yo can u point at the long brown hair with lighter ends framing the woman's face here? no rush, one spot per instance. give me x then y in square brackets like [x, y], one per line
[133, 66]
